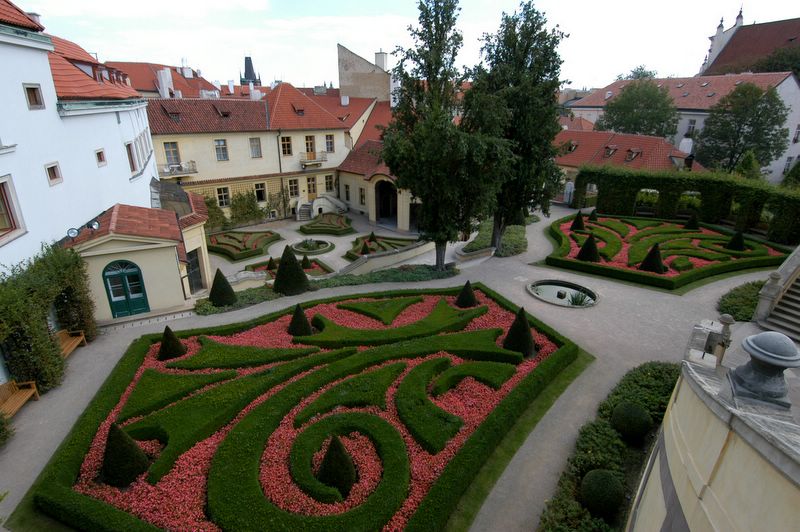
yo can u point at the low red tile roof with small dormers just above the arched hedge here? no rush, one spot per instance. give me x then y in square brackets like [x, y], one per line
[604, 148]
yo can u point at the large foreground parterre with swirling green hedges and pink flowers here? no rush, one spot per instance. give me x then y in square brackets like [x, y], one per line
[236, 429]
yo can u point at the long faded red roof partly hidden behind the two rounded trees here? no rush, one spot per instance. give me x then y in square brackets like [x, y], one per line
[695, 93]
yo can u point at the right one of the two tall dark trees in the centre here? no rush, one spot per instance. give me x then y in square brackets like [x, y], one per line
[514, 97]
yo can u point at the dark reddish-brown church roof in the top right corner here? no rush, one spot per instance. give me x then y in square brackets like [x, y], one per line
[754, 42]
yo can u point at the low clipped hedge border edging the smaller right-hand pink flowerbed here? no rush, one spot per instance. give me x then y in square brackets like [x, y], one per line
[557, 258]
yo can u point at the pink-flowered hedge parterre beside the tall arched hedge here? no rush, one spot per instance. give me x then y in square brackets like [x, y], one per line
[688, 254]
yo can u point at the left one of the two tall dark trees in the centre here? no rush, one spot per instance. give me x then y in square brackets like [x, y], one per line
[442, 164]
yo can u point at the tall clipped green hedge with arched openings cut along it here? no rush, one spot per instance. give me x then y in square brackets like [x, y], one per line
[618, 189]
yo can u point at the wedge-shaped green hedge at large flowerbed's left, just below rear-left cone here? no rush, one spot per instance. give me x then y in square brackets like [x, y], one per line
[156, 390]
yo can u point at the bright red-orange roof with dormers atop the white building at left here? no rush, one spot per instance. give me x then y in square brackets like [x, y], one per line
[72, 83]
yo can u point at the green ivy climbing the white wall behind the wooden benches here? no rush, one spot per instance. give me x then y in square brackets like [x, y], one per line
[56, 278]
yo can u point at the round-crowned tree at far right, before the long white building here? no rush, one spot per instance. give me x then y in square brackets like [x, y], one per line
[748, 118]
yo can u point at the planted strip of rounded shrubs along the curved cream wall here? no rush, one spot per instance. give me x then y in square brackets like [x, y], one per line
[642, 394]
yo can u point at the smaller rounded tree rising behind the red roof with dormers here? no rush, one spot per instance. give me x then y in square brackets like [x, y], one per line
[643, 108]
